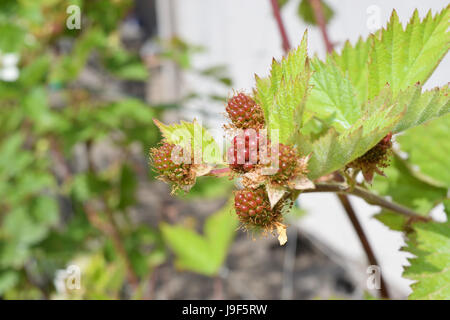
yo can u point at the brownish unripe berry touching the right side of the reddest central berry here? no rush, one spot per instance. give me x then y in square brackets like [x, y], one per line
[287, 165]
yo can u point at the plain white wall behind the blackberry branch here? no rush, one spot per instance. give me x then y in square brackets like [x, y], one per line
[243, 35]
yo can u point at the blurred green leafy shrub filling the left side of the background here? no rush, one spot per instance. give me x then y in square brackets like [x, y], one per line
[58, 204]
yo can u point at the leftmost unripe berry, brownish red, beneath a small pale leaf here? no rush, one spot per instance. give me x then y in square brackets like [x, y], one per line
[180, 174]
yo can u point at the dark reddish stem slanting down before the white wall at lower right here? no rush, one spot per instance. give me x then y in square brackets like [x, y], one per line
[363, 239]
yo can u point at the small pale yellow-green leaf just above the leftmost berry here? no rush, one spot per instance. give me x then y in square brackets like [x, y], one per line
[192, 135]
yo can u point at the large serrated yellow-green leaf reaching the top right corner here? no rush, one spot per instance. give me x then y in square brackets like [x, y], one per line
[394, 55]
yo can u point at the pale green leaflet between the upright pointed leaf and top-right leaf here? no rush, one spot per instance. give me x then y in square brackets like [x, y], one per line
[332, 95]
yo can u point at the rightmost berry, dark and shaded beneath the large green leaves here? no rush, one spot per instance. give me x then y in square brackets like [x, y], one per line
[374, 159]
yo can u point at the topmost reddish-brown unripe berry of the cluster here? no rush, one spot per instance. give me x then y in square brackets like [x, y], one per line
[244, 112]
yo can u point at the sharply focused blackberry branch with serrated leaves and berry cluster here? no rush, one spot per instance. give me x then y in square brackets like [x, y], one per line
[326, 121]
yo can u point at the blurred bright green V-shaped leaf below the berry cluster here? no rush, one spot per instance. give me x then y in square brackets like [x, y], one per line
[203, 254]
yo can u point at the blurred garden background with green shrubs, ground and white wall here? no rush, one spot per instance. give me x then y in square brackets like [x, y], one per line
[81, 214]
